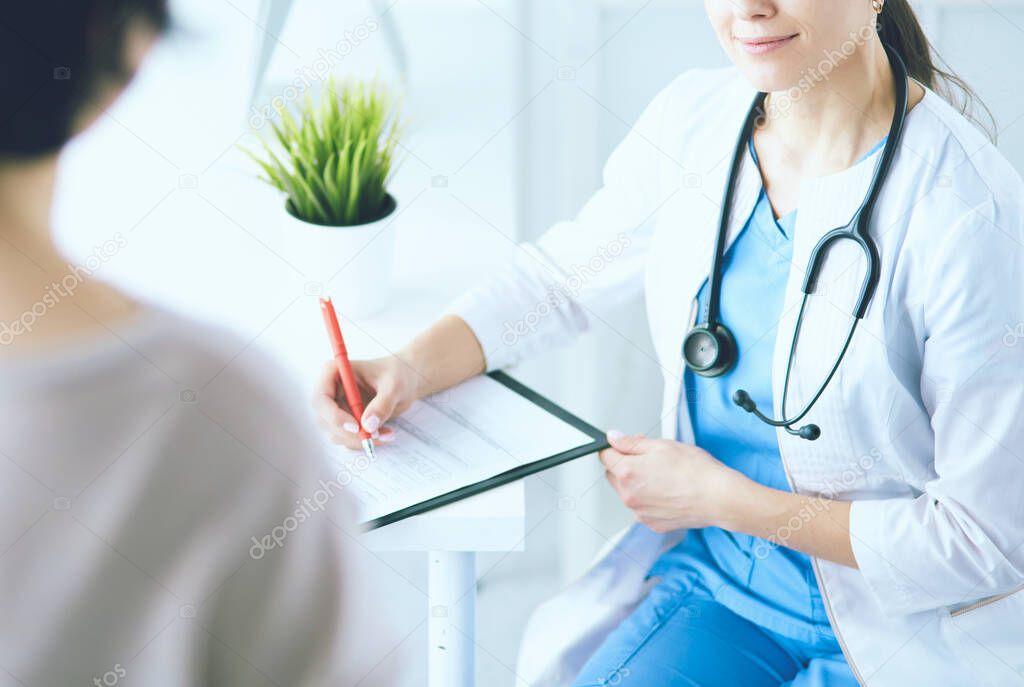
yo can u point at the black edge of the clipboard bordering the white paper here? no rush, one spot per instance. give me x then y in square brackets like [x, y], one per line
[599, 443]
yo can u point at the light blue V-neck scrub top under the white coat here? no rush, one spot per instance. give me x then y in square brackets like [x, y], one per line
[772, 586]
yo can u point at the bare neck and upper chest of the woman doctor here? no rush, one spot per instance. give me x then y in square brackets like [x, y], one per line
[840, 116]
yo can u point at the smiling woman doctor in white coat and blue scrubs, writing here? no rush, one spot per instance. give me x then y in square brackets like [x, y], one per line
[852, 496]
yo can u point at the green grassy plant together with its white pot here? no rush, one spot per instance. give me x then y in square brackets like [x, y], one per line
[334, 160]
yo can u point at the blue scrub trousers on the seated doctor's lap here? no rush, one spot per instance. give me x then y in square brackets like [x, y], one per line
[678, 639]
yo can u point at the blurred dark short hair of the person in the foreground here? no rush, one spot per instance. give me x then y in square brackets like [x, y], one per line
[55, 56]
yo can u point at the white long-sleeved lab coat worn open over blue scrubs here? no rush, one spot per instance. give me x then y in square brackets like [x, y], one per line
[922, 427]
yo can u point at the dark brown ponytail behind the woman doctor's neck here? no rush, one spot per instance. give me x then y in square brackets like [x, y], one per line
[899, 26]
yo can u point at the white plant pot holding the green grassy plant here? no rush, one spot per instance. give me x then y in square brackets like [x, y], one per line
[353, 265]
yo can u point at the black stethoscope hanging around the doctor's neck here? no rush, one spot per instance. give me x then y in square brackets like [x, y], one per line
[710, 350]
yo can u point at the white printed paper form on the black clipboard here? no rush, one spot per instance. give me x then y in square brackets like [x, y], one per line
[458, 438]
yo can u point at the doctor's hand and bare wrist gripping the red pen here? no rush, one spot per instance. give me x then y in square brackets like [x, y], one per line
[442, 357]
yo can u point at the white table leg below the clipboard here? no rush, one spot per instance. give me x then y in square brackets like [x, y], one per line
[452, 587]
